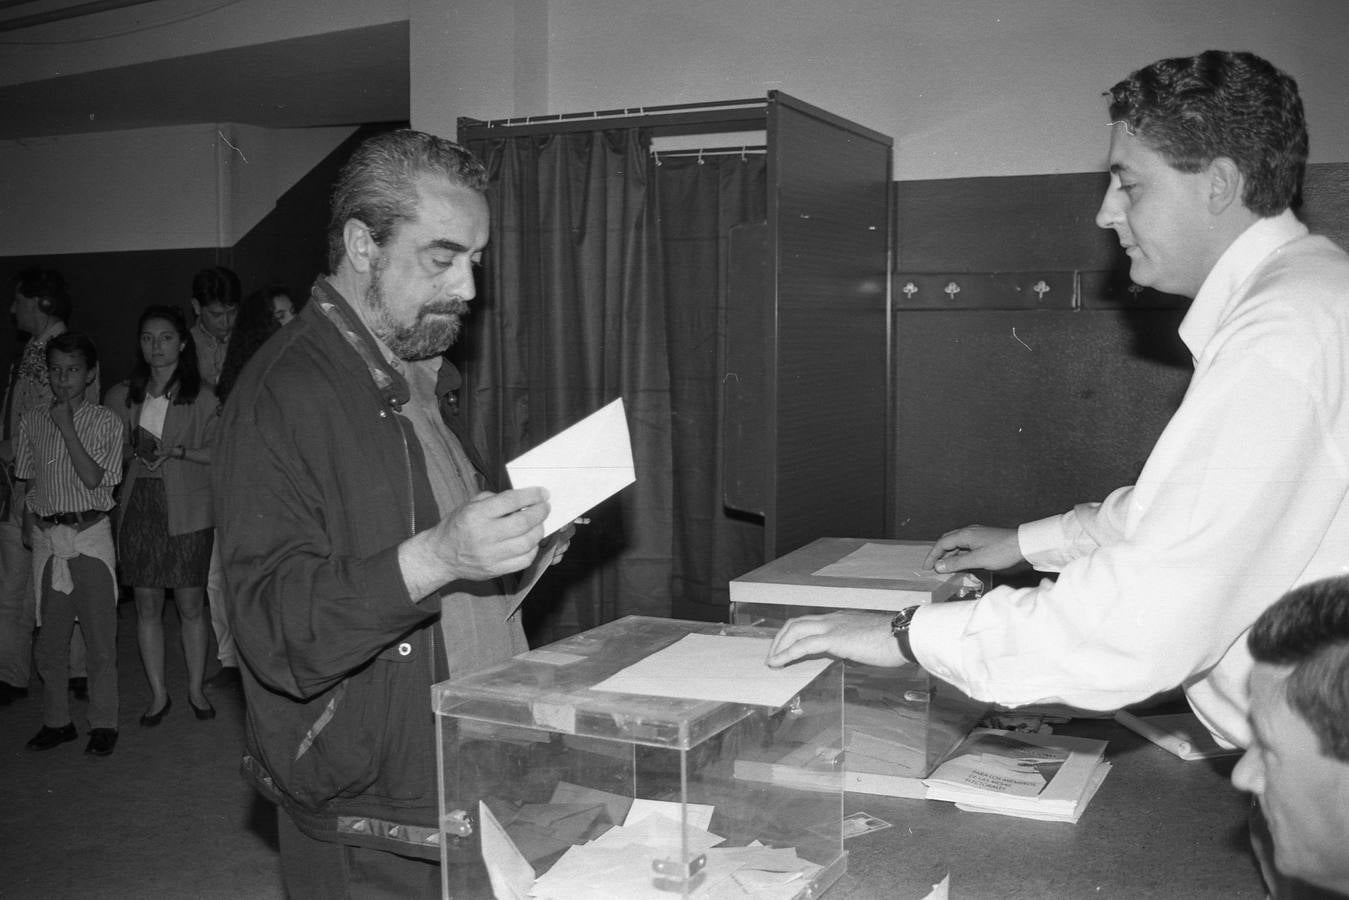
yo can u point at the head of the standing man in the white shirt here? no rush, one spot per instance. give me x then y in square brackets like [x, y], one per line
[1201, 150]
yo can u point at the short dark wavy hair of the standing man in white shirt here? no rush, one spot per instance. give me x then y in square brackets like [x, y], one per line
[1193, 110]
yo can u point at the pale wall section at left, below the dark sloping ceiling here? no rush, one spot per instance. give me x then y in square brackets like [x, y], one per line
[149, 190]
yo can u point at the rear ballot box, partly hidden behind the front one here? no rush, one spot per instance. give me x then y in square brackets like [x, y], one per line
[898, 724]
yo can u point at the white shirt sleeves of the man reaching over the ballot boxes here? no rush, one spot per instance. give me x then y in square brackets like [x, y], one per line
[1161, 581]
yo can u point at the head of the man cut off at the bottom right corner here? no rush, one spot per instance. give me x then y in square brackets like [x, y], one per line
[1298, 762]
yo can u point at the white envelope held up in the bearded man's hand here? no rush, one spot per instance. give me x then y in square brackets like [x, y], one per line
[582, 466]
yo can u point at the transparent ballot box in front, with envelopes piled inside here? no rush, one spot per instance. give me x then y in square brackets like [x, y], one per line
[573, 775]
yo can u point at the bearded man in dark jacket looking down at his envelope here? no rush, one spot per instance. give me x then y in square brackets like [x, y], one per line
[362, 553]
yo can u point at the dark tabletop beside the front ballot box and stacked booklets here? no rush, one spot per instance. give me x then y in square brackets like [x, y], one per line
[1158, 828]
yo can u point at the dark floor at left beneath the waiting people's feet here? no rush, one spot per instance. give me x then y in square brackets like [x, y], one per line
[167, 816]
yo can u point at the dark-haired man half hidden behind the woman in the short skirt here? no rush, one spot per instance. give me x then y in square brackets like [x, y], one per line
[215, 303]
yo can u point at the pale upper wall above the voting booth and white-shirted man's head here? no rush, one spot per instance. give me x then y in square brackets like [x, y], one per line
[965, 87]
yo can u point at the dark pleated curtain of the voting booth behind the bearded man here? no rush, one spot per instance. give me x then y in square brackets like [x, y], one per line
[577, 310]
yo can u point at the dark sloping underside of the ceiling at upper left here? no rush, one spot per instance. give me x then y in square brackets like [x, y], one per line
[339, 79]
